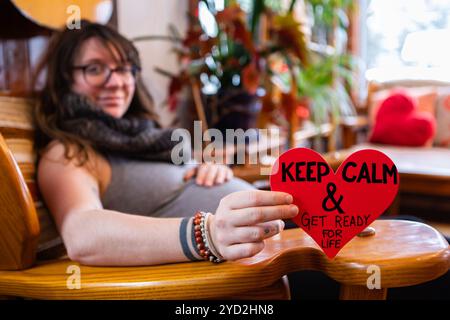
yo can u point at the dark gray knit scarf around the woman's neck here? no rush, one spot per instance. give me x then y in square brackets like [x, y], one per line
[130, 137]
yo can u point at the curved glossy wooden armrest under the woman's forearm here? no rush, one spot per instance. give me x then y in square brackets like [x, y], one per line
[407, 253]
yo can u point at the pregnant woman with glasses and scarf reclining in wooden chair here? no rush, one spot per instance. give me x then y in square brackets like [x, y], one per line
[106, 175]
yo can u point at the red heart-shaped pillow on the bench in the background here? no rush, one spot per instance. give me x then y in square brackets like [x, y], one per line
[398, 122]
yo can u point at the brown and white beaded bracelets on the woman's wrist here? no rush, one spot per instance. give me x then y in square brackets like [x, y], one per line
[202, 238]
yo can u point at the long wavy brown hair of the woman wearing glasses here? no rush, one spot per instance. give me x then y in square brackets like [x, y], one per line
[57, 65]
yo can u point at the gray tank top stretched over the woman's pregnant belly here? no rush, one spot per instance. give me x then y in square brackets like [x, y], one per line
[157, 189]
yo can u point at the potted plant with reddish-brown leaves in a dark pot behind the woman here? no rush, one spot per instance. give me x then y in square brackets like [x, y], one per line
[231, 64]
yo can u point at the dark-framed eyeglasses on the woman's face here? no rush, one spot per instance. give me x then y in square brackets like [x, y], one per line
[98, 74]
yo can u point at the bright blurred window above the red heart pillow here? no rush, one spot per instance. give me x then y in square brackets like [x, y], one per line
[406, 39]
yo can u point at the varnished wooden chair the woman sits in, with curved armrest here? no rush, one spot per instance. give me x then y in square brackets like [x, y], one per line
[33, 265]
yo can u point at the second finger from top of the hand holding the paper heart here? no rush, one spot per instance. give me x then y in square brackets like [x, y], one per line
[253, 216]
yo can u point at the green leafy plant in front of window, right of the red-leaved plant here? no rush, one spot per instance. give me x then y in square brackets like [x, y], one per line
[315, 88]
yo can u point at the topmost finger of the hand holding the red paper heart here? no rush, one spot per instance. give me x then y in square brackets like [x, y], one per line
[255, 198]
